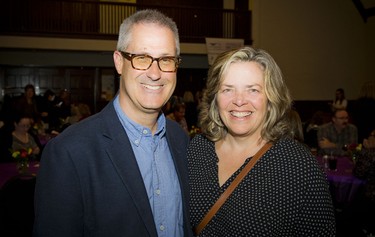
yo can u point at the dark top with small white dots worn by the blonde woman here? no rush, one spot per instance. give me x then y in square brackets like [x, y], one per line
[285, 194]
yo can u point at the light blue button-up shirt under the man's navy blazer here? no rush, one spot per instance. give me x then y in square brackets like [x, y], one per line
[158, 172]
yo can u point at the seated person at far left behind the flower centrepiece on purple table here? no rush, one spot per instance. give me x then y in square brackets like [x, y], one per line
[21, 138]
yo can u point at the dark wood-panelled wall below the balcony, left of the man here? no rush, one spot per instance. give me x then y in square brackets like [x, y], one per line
[82, 83]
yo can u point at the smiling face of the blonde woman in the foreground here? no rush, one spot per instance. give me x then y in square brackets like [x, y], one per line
[241, 99]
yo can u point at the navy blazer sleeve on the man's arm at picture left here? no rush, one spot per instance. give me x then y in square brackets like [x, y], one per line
[58, 200]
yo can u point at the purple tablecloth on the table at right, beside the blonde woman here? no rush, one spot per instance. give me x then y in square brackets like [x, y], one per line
[344, 186]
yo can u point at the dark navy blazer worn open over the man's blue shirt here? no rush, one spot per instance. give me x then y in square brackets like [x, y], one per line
[89, 183]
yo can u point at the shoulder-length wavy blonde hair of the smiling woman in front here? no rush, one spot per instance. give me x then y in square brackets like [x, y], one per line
[276, 122]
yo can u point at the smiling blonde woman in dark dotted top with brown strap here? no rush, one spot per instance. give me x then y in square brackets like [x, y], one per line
[245, 106]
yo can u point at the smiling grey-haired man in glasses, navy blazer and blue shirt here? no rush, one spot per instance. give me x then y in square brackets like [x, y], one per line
[123, 171]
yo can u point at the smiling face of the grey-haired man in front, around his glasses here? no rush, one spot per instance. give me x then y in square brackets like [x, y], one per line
[146, 91]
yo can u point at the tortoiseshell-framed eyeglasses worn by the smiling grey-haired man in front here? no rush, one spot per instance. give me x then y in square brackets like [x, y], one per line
[144, 61]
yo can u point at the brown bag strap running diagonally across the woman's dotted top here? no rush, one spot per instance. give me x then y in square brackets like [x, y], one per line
[210, 214]
